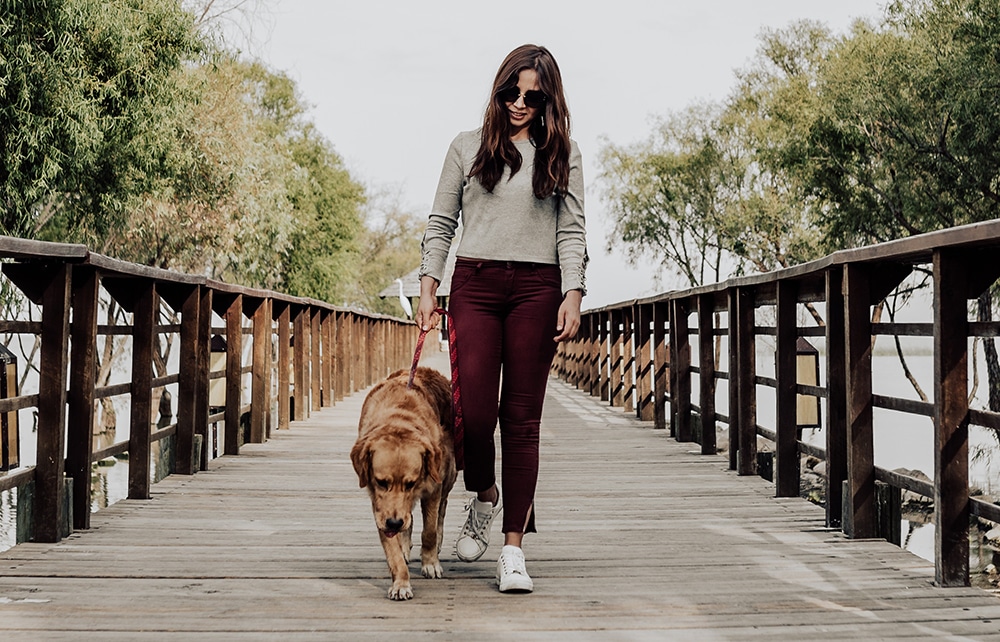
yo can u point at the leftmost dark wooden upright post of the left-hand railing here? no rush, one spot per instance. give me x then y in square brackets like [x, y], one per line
[50, 466]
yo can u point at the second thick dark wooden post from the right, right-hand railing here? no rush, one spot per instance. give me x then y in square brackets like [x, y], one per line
[860, 498]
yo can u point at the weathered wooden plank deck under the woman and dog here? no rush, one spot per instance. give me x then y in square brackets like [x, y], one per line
[641, 538]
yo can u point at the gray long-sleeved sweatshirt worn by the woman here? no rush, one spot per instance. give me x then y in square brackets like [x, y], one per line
[510, 224]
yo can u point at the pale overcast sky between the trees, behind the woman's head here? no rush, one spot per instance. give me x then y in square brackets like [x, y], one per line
[391, 82]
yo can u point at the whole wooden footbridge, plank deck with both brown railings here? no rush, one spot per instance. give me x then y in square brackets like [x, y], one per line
[645, 532]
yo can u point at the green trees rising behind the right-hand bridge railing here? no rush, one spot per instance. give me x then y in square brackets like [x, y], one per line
[825, 142]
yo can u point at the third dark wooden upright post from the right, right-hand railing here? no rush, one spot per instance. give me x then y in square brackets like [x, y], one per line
[836, 400]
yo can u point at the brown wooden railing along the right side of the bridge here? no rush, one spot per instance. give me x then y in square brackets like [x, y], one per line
[638, 356]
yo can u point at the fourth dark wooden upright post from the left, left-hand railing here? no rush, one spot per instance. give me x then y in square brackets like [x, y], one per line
[184, 463]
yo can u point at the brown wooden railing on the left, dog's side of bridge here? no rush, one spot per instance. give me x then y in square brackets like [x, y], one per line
[303, 354]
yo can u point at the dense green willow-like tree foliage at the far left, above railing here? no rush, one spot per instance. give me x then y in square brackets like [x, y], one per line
[86, 91]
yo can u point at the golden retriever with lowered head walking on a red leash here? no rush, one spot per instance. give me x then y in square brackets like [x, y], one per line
[405, 452]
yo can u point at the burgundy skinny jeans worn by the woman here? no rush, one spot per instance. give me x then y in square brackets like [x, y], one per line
[505, 317]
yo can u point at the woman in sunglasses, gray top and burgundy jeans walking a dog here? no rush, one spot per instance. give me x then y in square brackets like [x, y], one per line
[517, 185]
